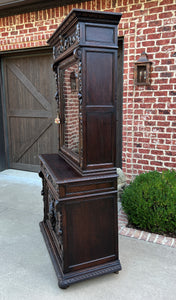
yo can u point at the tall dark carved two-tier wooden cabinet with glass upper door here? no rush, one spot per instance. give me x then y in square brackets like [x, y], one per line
[80, 181]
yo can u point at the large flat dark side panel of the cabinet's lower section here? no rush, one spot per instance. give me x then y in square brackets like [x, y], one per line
[91, 232]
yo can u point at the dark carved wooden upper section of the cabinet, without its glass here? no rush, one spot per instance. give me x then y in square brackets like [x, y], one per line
[89, 39]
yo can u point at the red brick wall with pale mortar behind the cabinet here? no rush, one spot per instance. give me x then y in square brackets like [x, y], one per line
[149, 112]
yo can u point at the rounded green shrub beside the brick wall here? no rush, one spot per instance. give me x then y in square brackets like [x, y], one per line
[150, 202]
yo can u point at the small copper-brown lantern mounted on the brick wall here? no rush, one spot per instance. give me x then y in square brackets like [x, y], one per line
[142, 70]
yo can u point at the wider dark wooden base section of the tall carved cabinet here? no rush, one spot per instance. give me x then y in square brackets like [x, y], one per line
[81, 232]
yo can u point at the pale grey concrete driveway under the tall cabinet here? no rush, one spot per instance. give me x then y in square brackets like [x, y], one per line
[26, 271]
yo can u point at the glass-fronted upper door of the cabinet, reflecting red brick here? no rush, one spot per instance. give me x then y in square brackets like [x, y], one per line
[69, 139]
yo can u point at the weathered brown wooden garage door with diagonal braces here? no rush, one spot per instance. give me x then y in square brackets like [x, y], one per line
[30, 108]
